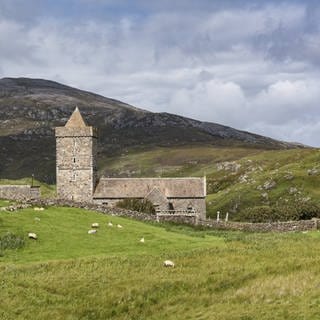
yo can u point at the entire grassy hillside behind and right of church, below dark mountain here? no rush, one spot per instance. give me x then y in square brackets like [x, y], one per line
[230, 190]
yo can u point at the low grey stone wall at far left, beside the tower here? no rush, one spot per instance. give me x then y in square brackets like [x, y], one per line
[19, 192]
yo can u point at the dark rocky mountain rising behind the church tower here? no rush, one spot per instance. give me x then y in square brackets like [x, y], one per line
[31, 108]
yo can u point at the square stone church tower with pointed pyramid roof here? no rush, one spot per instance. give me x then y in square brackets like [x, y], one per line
[76, 150]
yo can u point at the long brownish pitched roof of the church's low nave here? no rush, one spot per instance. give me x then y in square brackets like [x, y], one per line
[141, 187]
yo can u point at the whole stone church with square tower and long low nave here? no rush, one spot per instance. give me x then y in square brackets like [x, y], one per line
[77, 180]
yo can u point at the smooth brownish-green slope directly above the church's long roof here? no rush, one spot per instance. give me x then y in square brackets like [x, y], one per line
[173, 161]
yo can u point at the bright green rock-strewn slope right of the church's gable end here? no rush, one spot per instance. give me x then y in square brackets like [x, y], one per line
[243, 188]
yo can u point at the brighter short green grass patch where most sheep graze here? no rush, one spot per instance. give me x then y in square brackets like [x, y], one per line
[62, 234]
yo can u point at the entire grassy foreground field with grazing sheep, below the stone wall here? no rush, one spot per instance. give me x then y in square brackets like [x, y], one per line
[68, 274]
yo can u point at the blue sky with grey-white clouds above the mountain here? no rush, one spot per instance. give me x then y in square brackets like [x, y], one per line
[252, 65]
